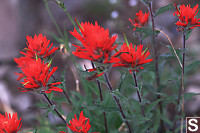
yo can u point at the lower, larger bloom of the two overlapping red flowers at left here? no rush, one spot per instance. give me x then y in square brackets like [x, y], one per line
[36, 75]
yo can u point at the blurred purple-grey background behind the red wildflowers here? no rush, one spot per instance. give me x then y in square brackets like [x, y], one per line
[19, 18]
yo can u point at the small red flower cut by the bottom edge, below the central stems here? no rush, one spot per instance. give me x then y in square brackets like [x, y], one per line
[79, 126]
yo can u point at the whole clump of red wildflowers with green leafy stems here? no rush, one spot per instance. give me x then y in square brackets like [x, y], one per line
[137, 102]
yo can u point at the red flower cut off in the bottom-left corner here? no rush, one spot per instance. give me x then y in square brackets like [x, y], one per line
[9, 124]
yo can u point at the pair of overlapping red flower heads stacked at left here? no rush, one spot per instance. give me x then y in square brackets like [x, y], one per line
[35, 72]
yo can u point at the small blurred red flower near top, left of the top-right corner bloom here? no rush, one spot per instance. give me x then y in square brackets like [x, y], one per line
[141, 19]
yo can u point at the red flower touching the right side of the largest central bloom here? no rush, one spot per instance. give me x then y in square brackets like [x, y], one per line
[131, 57]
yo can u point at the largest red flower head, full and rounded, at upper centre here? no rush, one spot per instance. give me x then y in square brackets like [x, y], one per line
[97, 44]
